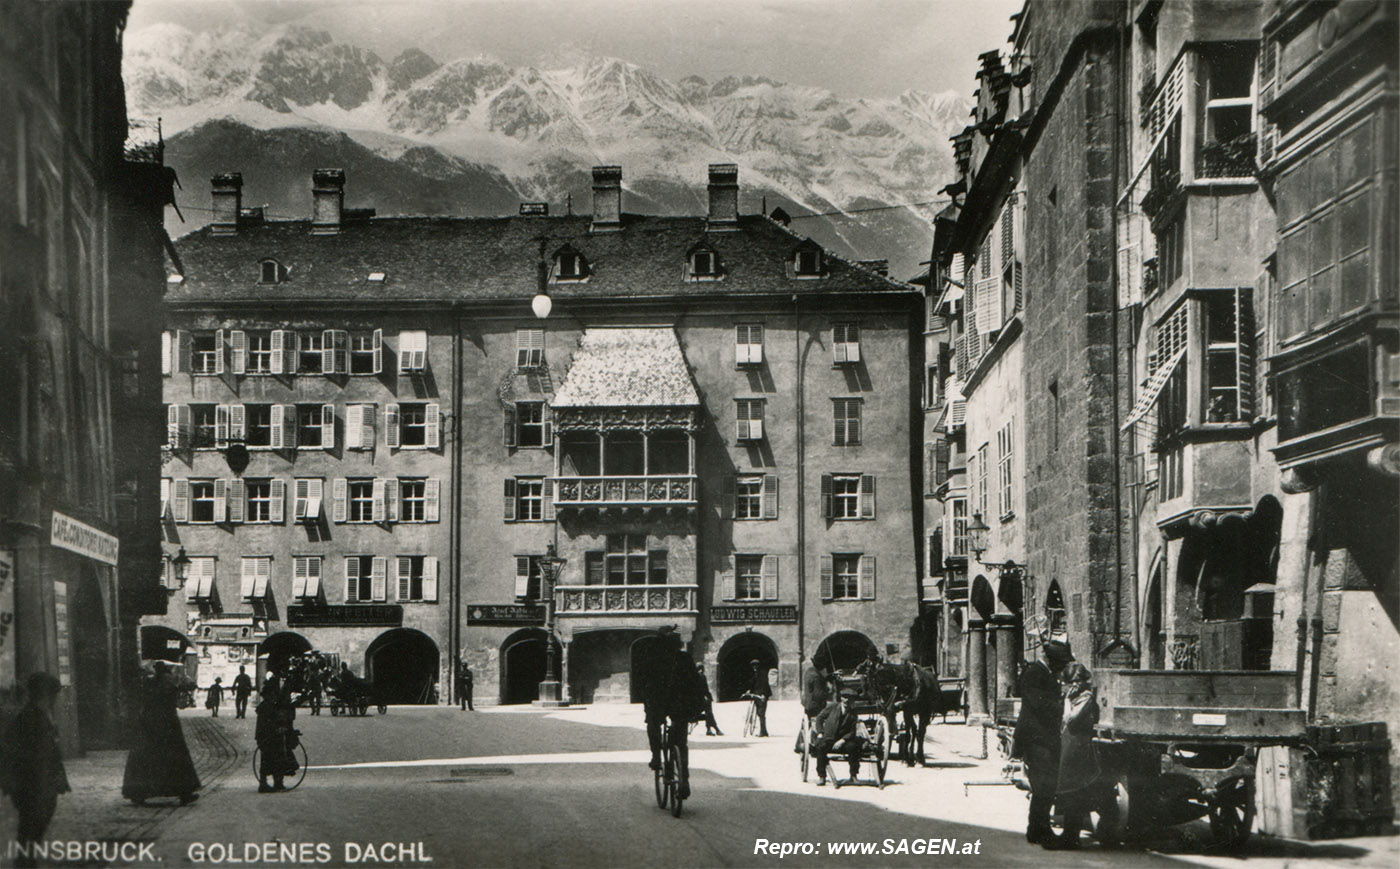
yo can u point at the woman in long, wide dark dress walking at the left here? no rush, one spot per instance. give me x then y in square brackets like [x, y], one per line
[159, 763]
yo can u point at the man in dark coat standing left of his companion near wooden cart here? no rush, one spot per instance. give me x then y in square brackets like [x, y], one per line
[1037, 740]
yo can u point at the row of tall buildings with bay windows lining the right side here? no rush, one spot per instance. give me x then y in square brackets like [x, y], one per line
[1207, 348]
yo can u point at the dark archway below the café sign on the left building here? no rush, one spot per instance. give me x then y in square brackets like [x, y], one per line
[92, 663]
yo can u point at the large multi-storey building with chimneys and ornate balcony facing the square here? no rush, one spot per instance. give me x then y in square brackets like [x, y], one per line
[696, 418]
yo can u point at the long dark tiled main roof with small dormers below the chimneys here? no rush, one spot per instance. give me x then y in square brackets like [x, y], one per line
[498, 258]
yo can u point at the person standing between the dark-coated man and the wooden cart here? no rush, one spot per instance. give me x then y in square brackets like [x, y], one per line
[1079, 765]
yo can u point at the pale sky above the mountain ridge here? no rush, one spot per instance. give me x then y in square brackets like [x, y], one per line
[856, 48]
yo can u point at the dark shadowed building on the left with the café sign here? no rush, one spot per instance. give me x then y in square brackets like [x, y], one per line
[80, 286]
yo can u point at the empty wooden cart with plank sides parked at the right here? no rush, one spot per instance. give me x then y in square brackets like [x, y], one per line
[1181, 745]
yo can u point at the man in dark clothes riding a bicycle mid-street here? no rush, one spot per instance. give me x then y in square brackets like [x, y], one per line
[671, 689]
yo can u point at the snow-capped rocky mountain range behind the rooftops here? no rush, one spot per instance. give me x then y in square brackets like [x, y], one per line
[472, 136]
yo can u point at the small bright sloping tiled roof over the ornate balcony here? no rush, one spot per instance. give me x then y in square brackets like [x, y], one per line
[633, 367]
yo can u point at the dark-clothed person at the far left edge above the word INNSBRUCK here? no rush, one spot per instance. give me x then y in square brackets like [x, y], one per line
[31, 772]
